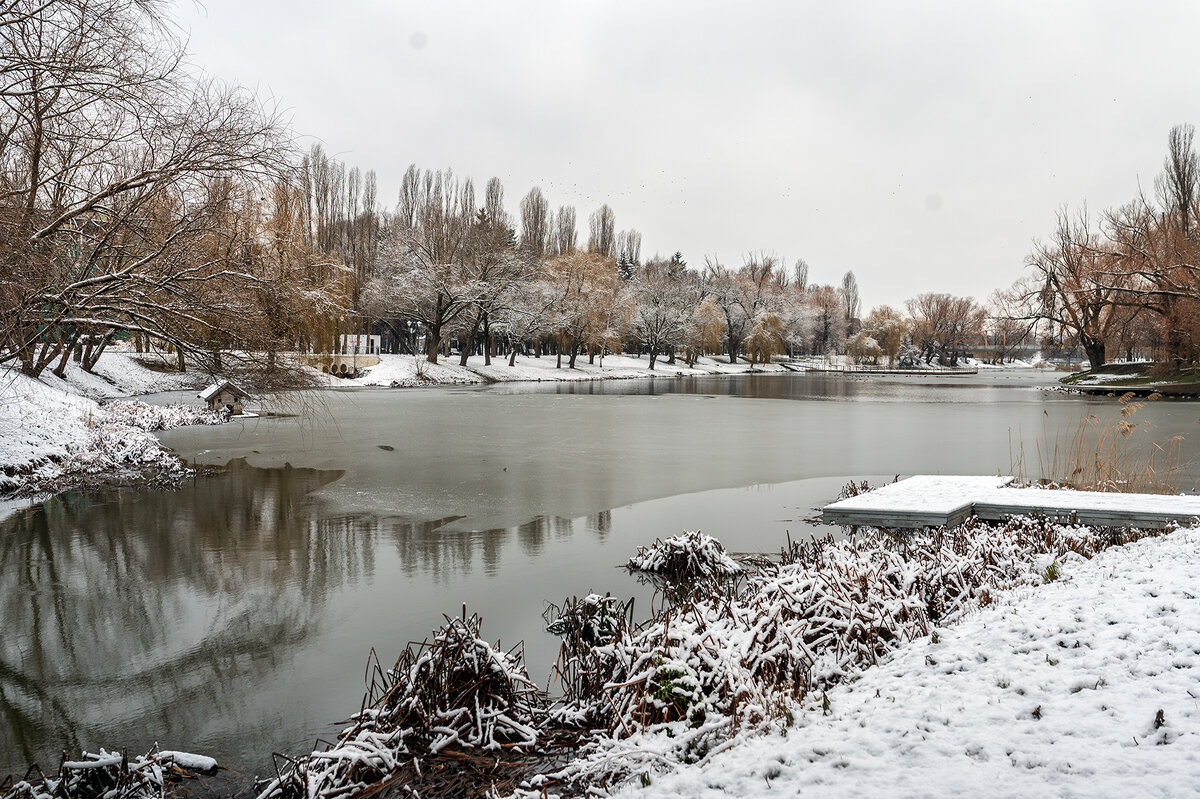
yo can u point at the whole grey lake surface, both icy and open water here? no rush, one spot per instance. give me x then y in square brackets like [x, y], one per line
[235, 617]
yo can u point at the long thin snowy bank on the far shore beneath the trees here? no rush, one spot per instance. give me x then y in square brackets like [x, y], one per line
[403, 371]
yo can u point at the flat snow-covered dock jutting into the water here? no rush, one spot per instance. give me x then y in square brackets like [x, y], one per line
[933, 501]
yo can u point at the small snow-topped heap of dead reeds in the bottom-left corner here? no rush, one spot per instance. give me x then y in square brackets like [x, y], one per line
[109, 776]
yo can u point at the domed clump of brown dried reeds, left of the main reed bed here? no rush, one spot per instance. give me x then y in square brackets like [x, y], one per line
[454, 693]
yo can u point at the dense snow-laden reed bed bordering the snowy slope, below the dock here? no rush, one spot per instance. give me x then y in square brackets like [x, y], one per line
[685, 683]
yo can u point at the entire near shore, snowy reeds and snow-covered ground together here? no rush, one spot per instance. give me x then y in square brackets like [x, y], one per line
[841, 695]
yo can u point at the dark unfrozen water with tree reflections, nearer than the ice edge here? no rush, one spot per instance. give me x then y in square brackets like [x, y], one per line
[233, 616]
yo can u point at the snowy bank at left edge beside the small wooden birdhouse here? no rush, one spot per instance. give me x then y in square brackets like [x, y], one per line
[51, 440]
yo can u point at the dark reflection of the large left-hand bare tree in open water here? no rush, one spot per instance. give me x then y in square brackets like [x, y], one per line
[148, 614]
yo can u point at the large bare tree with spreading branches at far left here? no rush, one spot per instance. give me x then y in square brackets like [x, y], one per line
[117, 165]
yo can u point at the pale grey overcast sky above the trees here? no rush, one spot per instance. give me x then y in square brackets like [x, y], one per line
[921, 146]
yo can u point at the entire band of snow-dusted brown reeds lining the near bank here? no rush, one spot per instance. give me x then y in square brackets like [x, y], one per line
[706, 669]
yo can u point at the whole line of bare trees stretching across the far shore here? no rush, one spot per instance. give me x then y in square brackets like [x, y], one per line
[141, 200]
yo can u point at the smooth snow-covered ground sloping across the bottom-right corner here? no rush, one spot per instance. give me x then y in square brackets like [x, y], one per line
[1052, 692]
